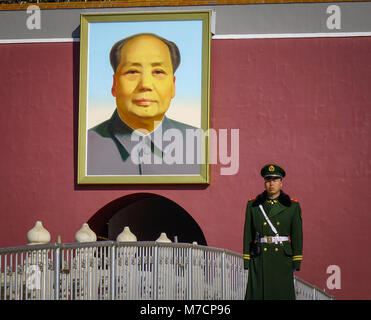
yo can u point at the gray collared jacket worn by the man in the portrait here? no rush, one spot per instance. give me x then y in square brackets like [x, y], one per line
[113, 149]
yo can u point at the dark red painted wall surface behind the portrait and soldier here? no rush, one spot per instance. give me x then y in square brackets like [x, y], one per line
[303, 103]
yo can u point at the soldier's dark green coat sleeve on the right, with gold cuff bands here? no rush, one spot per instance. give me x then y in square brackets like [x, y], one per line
[297, 238]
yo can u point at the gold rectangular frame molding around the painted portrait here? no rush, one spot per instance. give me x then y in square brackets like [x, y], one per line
[86, 19]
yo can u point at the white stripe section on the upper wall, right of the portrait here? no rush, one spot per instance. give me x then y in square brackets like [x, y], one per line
[291, 35]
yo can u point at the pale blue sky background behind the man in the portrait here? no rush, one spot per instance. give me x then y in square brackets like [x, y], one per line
[186, 105]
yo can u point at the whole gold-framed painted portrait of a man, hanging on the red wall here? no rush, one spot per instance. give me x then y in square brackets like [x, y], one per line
[144, 98]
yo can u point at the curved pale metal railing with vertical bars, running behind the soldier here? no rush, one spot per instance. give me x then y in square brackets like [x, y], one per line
[110, 270]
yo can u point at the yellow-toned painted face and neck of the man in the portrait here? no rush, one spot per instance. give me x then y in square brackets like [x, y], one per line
[144, 83]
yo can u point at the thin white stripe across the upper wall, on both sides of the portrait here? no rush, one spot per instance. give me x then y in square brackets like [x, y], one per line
[219, 37]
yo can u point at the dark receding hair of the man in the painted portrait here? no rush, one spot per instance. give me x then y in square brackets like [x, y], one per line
[115, 54]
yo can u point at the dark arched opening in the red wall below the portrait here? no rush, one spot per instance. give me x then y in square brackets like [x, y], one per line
[147, 215]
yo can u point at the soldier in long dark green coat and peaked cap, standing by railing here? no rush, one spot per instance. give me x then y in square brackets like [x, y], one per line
[273, 240]
